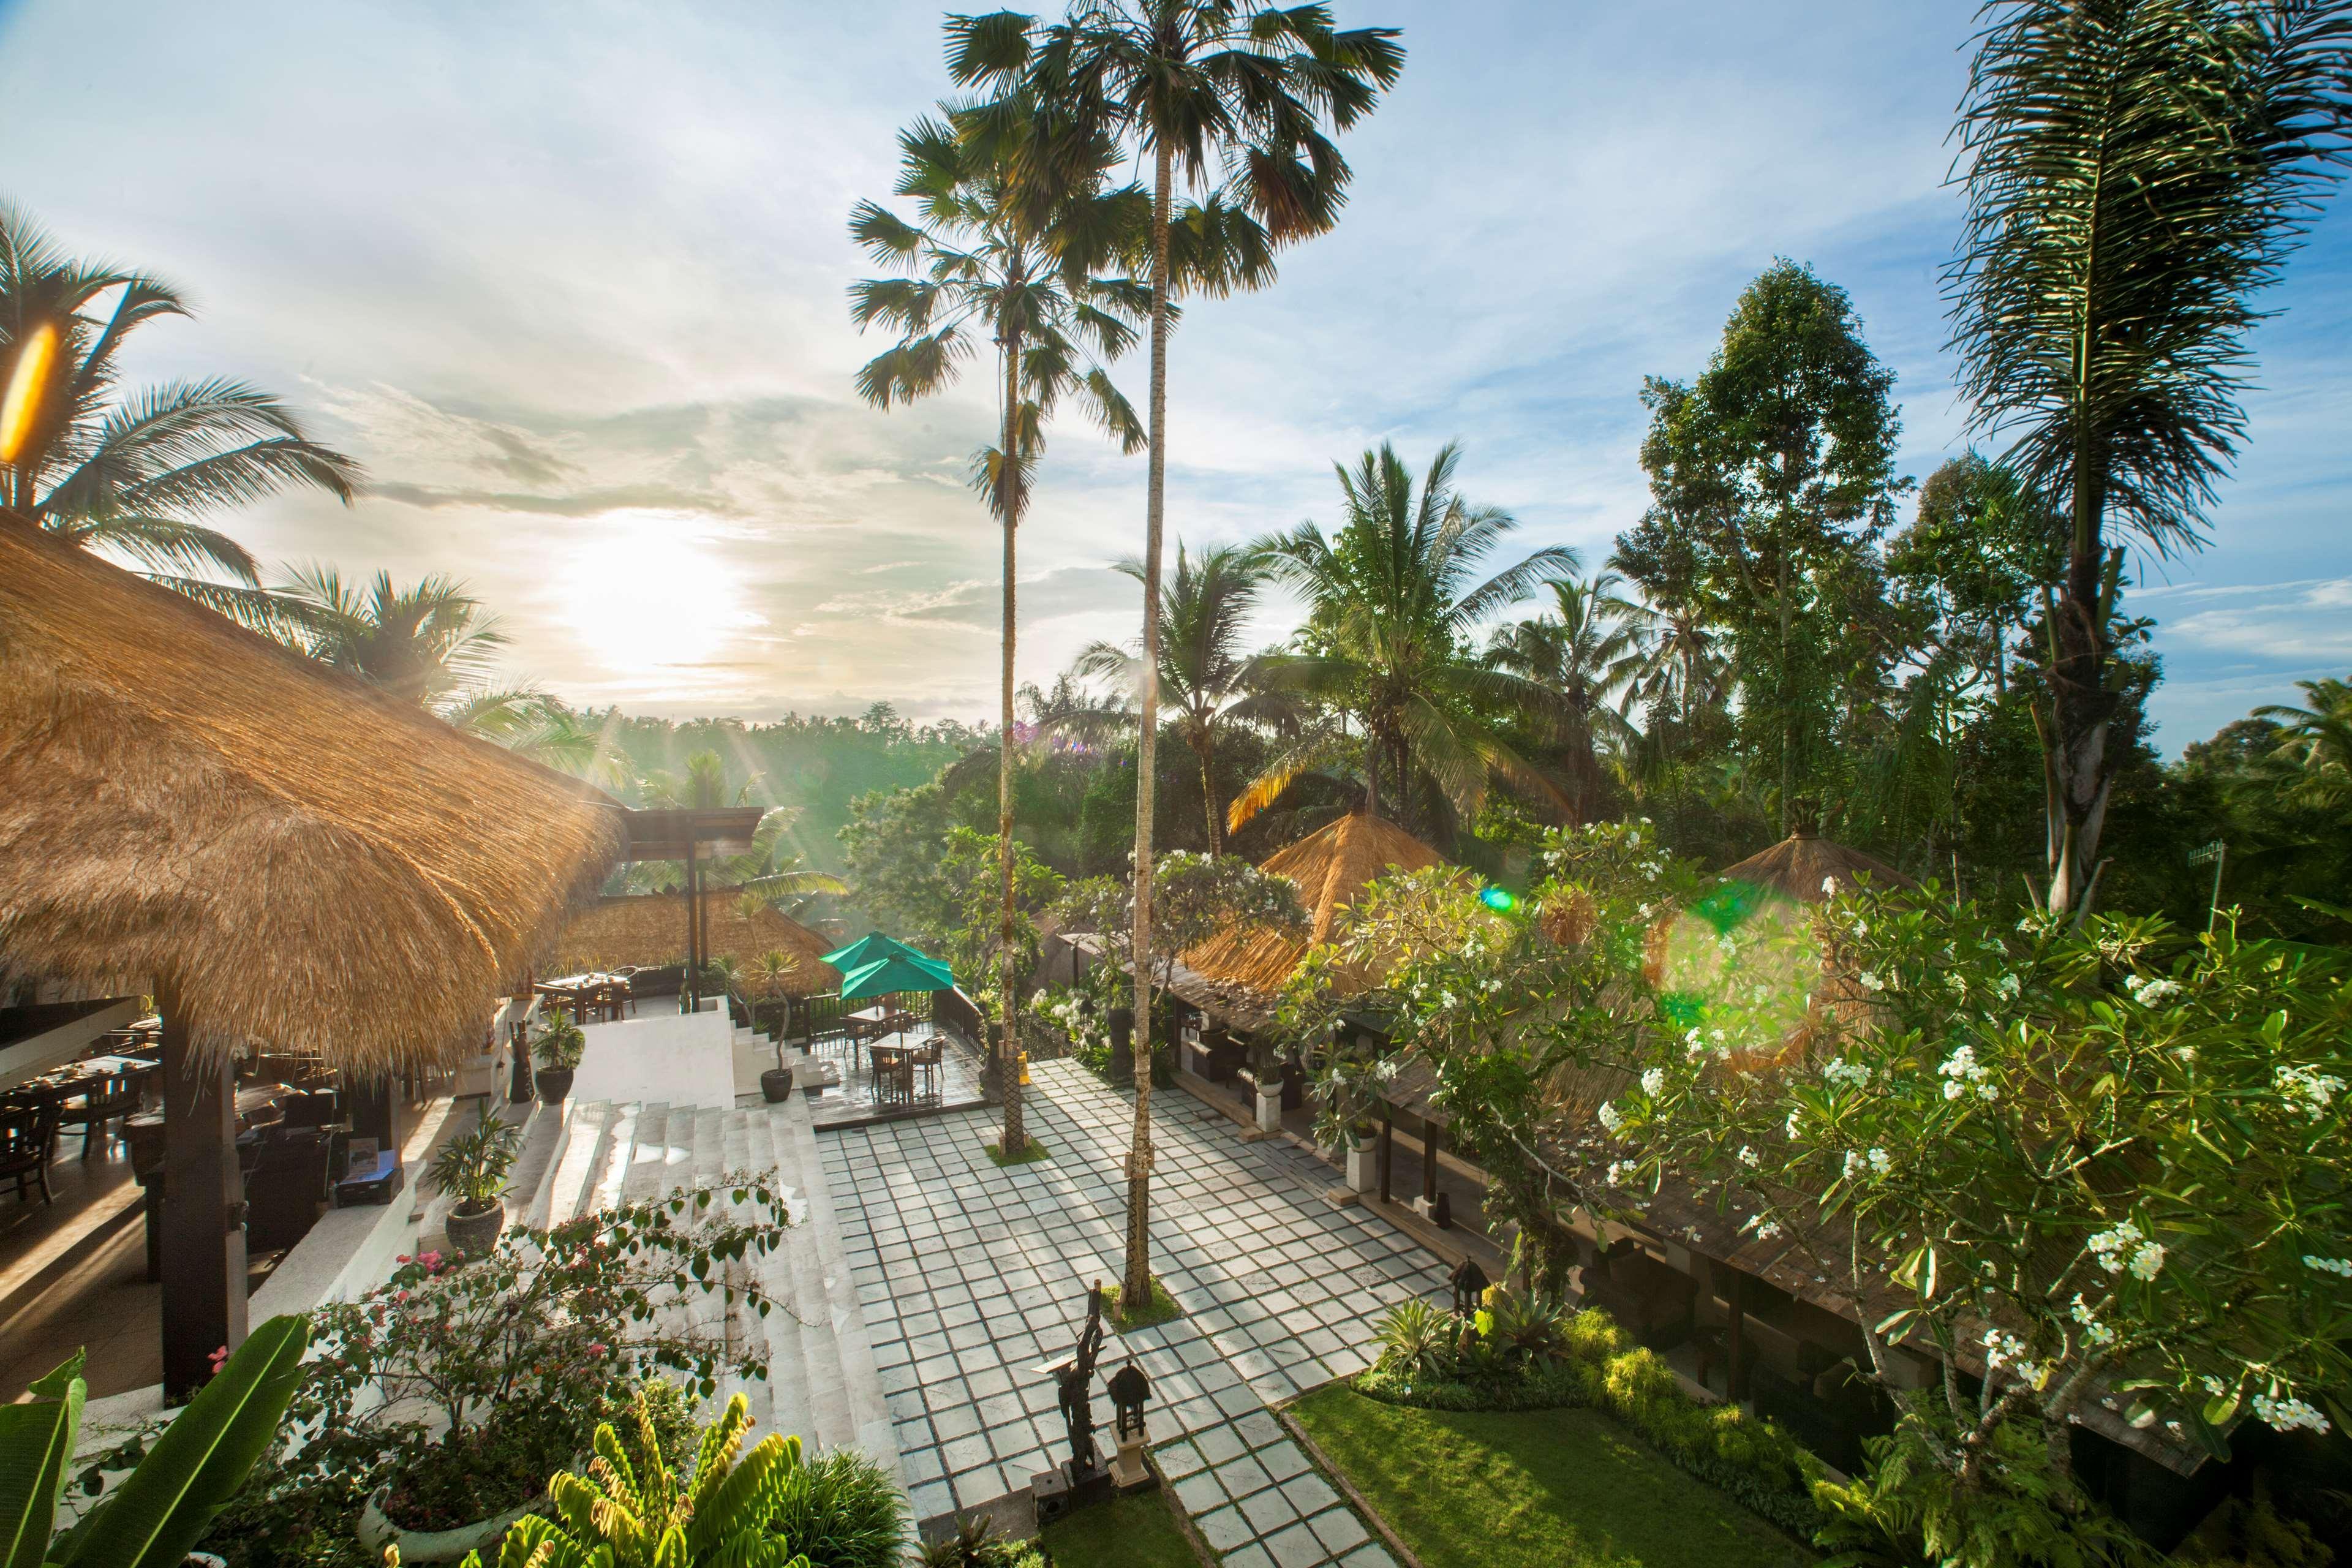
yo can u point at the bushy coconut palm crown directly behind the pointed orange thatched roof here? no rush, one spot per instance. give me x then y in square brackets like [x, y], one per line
[1391, 610]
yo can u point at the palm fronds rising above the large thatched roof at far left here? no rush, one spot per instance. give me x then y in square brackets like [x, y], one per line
[140, 476]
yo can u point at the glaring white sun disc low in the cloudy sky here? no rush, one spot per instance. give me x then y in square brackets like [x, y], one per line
[650, 594]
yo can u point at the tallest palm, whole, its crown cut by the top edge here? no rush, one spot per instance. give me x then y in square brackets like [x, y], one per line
[1236, 98]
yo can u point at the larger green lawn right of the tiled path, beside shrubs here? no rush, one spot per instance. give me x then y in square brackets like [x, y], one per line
[1537, 1489]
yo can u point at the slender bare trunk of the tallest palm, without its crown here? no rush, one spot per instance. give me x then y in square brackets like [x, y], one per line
[1140, 1153]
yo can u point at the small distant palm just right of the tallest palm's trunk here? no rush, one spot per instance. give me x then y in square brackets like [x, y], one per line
[1205, 671]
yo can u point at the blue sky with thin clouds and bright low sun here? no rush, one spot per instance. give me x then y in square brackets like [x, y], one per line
[570, 281]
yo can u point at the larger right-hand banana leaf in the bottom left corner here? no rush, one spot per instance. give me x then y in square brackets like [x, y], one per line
[163, 1508]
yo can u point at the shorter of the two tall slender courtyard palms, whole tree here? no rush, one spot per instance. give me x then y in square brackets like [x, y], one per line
[1031, 272]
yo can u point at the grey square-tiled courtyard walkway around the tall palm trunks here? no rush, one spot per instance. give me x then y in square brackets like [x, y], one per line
[973, 1278]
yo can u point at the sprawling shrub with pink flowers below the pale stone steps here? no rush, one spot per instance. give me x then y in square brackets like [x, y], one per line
[462, 1386]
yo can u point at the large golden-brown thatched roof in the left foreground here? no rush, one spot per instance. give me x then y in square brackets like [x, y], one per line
[286, 852]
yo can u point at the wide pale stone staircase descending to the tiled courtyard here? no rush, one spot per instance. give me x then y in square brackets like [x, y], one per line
[822, 1376]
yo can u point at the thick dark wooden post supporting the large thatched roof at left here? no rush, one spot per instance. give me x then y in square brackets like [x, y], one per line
[203, 1212]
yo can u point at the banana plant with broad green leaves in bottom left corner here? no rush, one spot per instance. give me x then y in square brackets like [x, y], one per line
[175, 1489]
